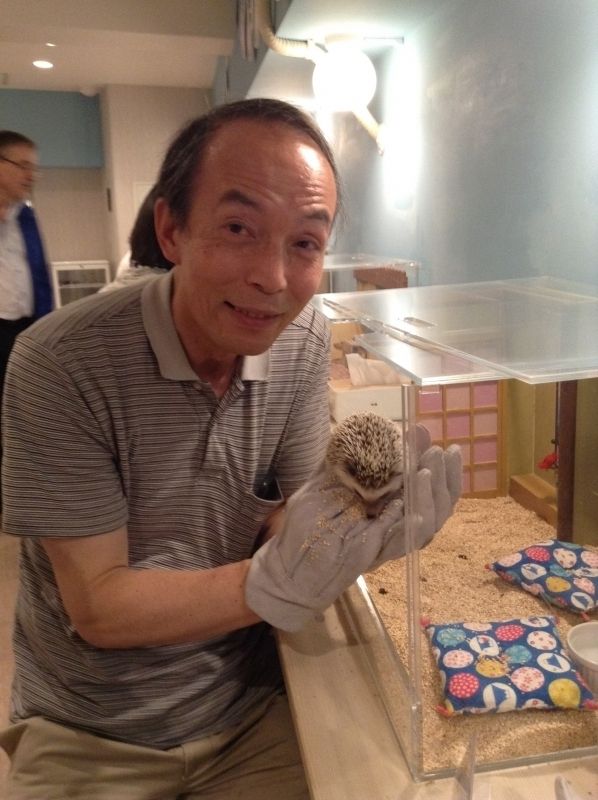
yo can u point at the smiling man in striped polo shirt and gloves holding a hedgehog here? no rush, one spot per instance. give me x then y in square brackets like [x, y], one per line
[163, 425]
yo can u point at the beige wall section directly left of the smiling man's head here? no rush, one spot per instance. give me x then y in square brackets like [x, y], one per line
[138, 123]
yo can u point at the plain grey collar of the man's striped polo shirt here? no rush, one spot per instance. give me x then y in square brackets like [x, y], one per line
[165, 342]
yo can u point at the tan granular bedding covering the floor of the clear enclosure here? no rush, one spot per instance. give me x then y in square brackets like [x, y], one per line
[455, 586]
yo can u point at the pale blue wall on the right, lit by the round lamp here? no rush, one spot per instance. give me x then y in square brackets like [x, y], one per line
[508, 125]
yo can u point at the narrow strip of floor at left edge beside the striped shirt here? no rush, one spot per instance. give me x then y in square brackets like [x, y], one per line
[9, 548]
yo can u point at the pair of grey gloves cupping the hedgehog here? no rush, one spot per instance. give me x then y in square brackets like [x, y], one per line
[327, 540]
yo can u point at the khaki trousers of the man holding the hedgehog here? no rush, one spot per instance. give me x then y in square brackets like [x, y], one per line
[257, 760]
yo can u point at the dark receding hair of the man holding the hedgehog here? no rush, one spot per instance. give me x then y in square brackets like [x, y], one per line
[184, 157]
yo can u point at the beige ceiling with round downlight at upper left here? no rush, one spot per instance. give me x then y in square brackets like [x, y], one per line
[99, 42]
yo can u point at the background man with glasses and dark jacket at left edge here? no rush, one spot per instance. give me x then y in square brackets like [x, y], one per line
[25, 291]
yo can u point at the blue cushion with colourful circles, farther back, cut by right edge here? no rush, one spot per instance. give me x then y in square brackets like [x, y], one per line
[565, 573]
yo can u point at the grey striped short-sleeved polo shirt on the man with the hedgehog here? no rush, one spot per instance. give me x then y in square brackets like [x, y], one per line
[106, 424]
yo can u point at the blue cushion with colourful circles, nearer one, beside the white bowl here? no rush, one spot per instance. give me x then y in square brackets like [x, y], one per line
[506, 665]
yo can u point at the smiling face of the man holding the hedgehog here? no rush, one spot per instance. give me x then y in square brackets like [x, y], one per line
[251, 254]
